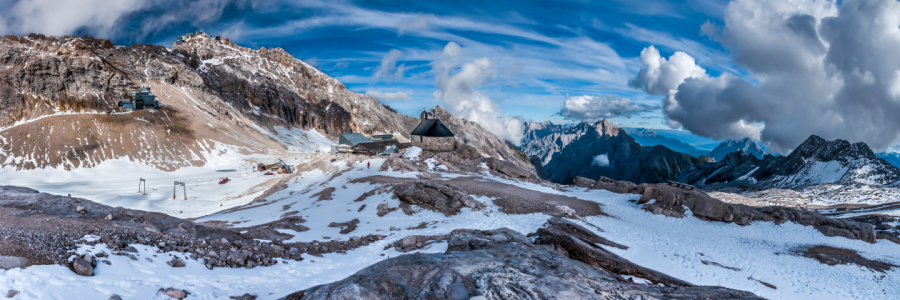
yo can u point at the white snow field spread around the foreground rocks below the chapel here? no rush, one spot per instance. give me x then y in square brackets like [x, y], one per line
[690, 249]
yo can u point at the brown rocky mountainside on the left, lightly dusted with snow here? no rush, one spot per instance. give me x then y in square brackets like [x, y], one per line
[67, 87]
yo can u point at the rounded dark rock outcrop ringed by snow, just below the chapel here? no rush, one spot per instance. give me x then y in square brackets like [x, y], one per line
[435, 196]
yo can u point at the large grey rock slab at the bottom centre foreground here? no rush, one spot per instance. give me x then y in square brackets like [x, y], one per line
[504, 264]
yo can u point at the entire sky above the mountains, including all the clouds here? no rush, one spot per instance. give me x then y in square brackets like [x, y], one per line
[776, 71]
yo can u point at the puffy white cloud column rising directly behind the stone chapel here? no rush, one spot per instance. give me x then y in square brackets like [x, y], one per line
[458, 90]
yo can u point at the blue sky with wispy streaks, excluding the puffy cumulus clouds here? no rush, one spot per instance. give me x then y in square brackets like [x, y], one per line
[539, 51]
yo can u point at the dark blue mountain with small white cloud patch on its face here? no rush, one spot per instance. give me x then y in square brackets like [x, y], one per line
[601, 149]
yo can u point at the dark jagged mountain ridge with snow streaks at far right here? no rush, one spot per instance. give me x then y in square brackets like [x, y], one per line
[815, 161]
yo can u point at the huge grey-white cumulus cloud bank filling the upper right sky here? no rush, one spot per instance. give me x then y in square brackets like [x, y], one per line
[815, 67]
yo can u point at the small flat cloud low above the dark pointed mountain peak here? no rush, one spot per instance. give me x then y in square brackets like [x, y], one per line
[593, 108]
